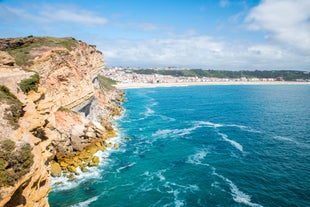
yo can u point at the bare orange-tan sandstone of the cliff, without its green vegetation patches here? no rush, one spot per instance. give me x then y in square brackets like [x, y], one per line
[65, 81]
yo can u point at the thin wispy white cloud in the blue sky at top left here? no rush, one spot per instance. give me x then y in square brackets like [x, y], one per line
[49, 13]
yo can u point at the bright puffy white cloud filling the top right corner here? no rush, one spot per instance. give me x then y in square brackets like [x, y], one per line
[286, 22]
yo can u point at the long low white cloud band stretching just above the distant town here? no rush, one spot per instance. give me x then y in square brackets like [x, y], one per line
[200, 52]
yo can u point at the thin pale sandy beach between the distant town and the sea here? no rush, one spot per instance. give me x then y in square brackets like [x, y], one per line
[184, 84]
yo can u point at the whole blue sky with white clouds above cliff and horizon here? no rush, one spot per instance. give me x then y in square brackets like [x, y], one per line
[206, 34]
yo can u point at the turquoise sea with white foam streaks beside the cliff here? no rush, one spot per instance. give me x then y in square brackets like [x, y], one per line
[204, 146]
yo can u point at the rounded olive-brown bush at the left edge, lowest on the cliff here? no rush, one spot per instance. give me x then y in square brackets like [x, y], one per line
[15, 162]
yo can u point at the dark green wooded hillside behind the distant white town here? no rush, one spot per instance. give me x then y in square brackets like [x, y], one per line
[287, 75]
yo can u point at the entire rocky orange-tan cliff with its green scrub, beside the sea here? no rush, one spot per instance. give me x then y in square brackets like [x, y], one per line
[54, 109]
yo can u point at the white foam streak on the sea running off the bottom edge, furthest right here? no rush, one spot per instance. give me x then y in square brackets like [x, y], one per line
[237, 195]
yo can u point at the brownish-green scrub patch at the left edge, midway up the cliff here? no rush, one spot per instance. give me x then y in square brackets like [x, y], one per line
[15, 111]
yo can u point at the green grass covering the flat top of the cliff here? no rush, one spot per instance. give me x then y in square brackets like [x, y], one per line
[22, 54]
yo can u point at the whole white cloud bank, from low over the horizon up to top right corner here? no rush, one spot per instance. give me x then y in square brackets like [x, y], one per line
[285, 25]
